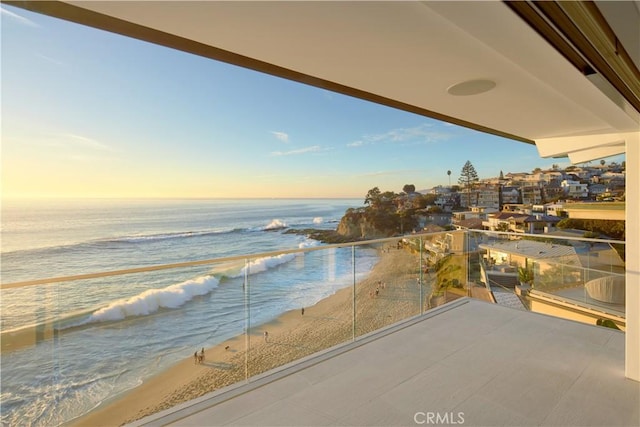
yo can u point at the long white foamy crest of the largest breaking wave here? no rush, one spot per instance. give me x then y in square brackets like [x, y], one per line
[152, 300]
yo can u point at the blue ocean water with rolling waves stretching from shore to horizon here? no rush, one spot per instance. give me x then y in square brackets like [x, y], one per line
[111, 333]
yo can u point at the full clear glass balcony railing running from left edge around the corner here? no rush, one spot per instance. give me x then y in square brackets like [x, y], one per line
[69, 344]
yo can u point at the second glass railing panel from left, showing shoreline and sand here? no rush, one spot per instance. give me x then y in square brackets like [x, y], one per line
[303, 306]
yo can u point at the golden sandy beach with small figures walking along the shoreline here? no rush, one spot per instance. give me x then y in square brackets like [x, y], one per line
[291, 336]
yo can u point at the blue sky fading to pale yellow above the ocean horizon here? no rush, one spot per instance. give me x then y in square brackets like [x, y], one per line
[86, 113]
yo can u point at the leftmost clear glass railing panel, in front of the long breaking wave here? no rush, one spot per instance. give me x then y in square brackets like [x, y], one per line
[63, 353]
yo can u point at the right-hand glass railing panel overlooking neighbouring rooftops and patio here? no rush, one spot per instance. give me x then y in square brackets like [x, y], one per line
[575, 278]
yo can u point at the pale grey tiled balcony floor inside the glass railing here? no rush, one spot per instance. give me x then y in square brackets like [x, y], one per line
[468, 362]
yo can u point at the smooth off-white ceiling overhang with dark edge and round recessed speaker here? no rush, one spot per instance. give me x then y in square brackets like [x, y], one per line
[405, 54]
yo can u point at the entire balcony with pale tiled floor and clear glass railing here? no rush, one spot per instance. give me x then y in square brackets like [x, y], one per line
[283, 327]
